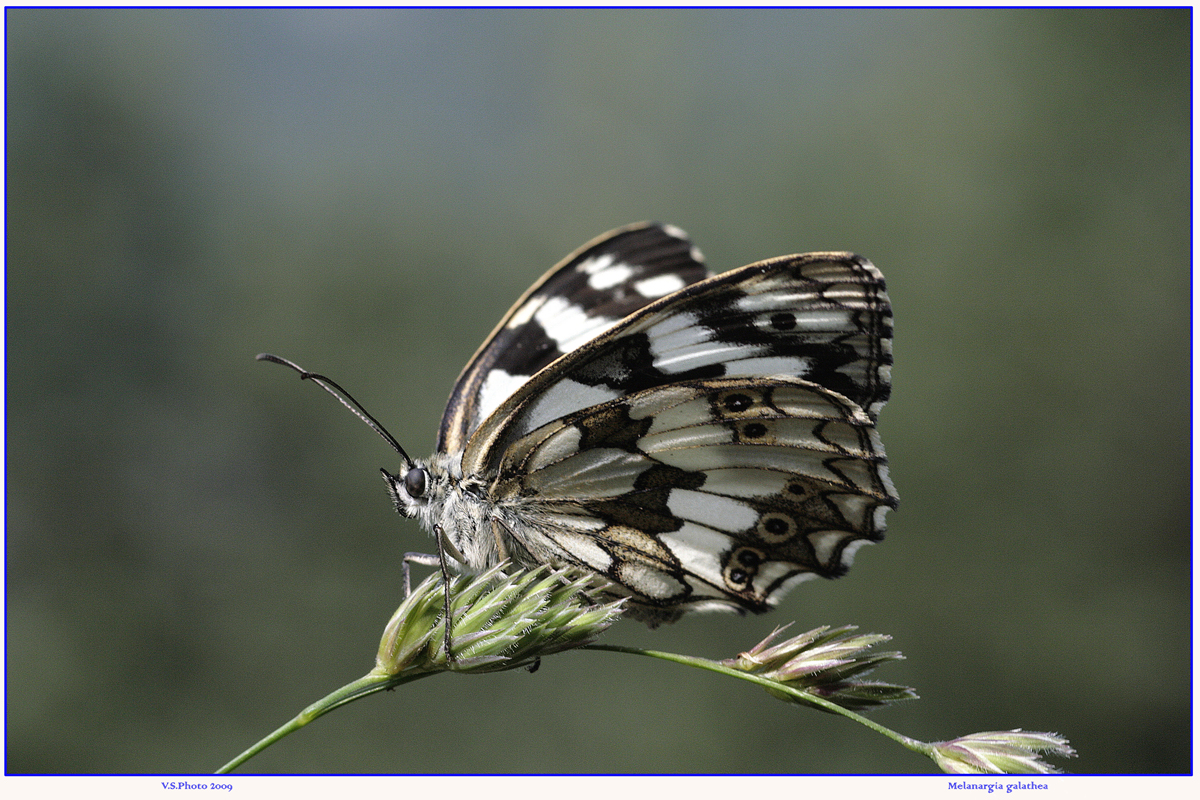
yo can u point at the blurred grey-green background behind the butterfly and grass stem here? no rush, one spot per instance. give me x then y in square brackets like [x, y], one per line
[199, 545]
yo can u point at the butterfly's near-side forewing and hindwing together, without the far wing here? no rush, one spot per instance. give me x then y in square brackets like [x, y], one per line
[712, 449]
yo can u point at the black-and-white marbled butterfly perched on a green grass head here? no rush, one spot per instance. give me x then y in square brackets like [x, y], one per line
[699, 442]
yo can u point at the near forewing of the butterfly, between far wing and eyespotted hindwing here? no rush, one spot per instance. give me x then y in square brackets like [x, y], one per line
[824, 317]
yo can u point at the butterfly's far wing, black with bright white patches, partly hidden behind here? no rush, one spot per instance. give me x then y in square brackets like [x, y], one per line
[589, 293]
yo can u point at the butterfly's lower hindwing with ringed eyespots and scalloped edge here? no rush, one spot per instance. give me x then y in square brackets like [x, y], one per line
[703, 494]
